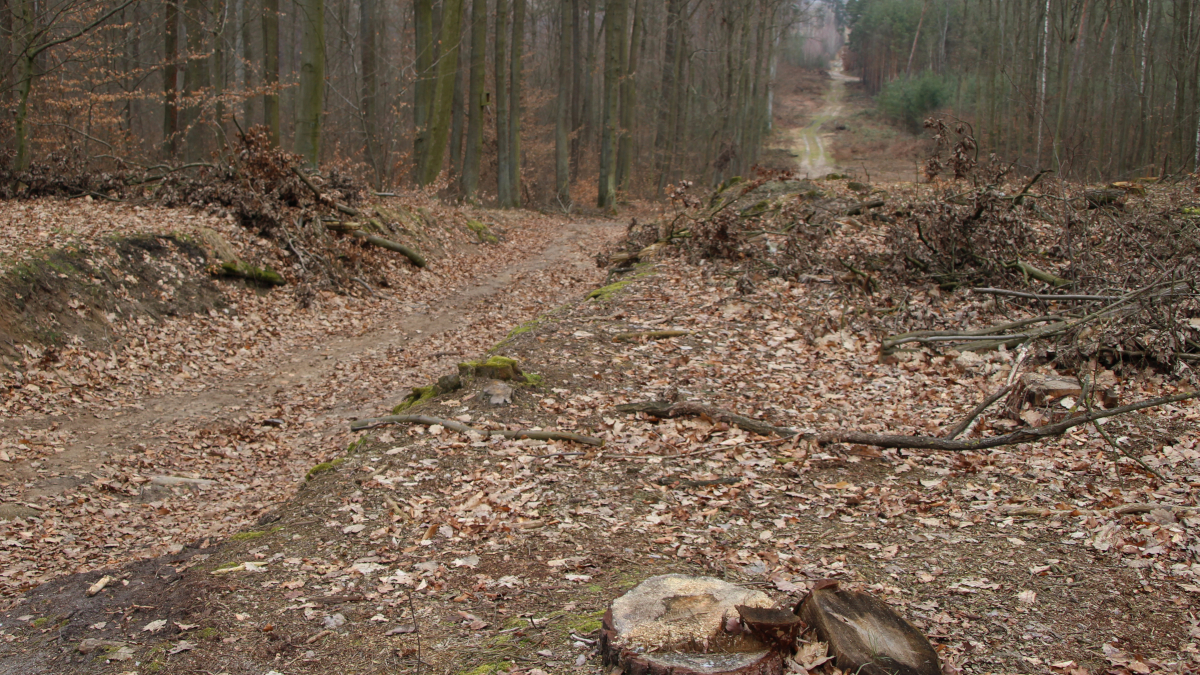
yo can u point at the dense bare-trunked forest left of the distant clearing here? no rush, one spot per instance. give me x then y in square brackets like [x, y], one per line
[515, 101]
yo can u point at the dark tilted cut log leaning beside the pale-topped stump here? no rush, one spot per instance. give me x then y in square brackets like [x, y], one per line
[865, 635]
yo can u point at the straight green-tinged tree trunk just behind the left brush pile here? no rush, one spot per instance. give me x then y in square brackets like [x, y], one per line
[310, 106]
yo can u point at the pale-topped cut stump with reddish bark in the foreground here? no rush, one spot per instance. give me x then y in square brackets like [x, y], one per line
[676, 625]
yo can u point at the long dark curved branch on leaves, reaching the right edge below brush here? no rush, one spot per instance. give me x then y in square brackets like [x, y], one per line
[1019, 437]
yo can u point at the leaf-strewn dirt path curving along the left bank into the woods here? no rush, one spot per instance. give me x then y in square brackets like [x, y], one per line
[255, 433]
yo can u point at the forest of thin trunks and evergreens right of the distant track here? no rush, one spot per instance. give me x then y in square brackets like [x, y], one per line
[1094, 89]
